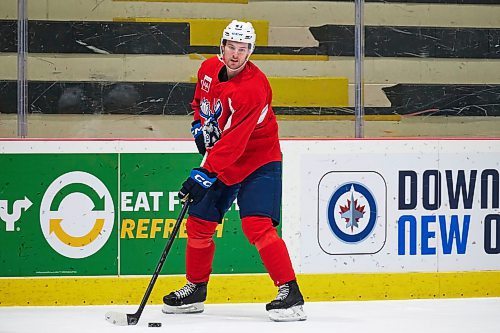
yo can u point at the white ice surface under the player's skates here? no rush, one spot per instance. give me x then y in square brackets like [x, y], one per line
[444, 315]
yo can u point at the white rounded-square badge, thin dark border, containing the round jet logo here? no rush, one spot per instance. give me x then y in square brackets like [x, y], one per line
[352, 212]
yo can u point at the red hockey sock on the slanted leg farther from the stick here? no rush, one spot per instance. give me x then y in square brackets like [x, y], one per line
[272, 249]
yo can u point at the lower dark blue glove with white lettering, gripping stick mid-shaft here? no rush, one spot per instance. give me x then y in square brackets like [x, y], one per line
[197, 185]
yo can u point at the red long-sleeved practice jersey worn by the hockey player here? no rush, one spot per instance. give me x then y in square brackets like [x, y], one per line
[245, 117]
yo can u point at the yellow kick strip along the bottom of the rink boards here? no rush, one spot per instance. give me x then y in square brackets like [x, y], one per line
[257, 288]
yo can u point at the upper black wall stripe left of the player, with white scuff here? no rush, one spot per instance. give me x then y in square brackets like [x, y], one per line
[98, 37]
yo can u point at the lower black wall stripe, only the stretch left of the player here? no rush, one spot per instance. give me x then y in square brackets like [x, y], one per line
[100, 97]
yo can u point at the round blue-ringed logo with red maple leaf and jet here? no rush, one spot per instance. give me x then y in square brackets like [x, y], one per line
[352, 212]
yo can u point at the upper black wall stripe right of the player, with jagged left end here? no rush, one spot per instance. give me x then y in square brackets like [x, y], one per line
[420, 42]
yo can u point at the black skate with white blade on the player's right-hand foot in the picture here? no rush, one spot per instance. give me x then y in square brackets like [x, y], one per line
[287, 306]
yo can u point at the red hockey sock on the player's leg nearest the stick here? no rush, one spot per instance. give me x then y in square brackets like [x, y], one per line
[200, 249]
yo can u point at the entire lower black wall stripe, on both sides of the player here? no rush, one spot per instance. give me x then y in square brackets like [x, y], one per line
[170, 98]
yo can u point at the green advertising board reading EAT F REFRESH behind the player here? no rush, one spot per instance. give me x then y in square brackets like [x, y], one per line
[103, 214]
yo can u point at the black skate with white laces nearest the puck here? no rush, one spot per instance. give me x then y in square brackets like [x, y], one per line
[188, 299]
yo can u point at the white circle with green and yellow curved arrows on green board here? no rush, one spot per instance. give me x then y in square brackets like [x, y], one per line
[77, 214]
